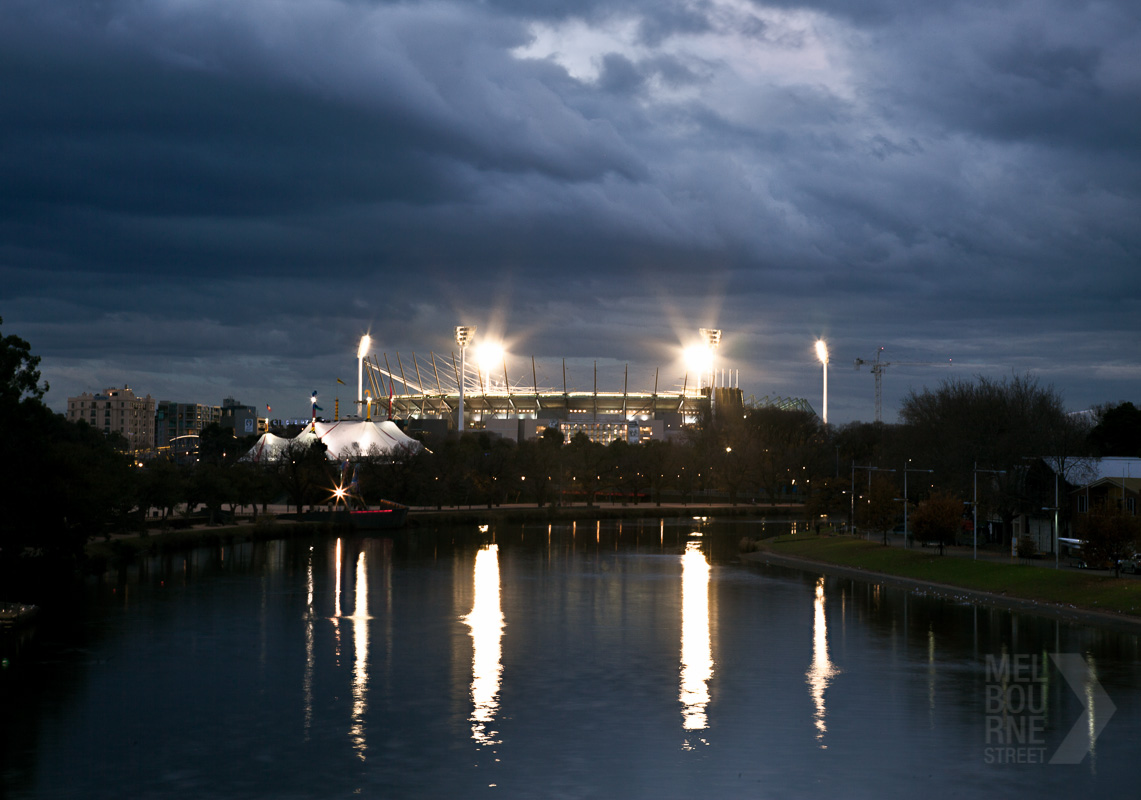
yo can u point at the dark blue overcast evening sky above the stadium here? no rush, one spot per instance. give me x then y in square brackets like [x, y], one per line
[206, 198]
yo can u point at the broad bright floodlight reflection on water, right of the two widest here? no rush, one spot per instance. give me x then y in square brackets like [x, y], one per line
[697, 652]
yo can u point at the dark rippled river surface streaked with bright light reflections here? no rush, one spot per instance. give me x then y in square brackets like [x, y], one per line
[588, 661]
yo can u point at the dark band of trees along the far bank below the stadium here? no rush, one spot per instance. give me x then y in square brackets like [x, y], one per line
[964, 440]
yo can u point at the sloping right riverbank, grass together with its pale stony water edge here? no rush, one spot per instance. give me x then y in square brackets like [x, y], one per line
[1081, 596]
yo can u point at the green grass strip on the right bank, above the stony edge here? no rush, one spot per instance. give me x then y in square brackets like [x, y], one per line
[1085, 589]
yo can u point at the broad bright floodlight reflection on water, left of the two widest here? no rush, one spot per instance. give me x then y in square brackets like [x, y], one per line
[487, 625]
